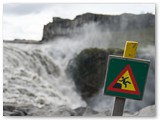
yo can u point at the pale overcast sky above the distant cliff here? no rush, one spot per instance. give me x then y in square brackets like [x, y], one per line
[26, 21]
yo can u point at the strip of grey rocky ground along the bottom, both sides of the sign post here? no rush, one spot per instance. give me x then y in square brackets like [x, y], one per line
[29, 110]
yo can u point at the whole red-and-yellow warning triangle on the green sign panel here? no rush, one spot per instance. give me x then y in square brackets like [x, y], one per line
[125, 82]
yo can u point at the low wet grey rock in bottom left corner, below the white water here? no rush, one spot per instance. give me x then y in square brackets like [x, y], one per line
[30, 110]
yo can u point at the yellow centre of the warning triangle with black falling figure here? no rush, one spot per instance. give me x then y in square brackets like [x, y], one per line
[127, 84]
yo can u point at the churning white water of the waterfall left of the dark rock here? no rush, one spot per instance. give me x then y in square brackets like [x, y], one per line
[32, 76]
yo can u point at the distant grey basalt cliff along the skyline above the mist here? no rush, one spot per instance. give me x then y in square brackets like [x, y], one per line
[65, 27]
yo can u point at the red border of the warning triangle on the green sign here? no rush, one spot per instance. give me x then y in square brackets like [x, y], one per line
[110, 87]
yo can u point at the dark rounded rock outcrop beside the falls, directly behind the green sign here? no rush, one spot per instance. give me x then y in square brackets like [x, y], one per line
[88, 70]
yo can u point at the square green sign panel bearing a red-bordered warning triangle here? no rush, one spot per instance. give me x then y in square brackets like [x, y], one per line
[126, 77]
